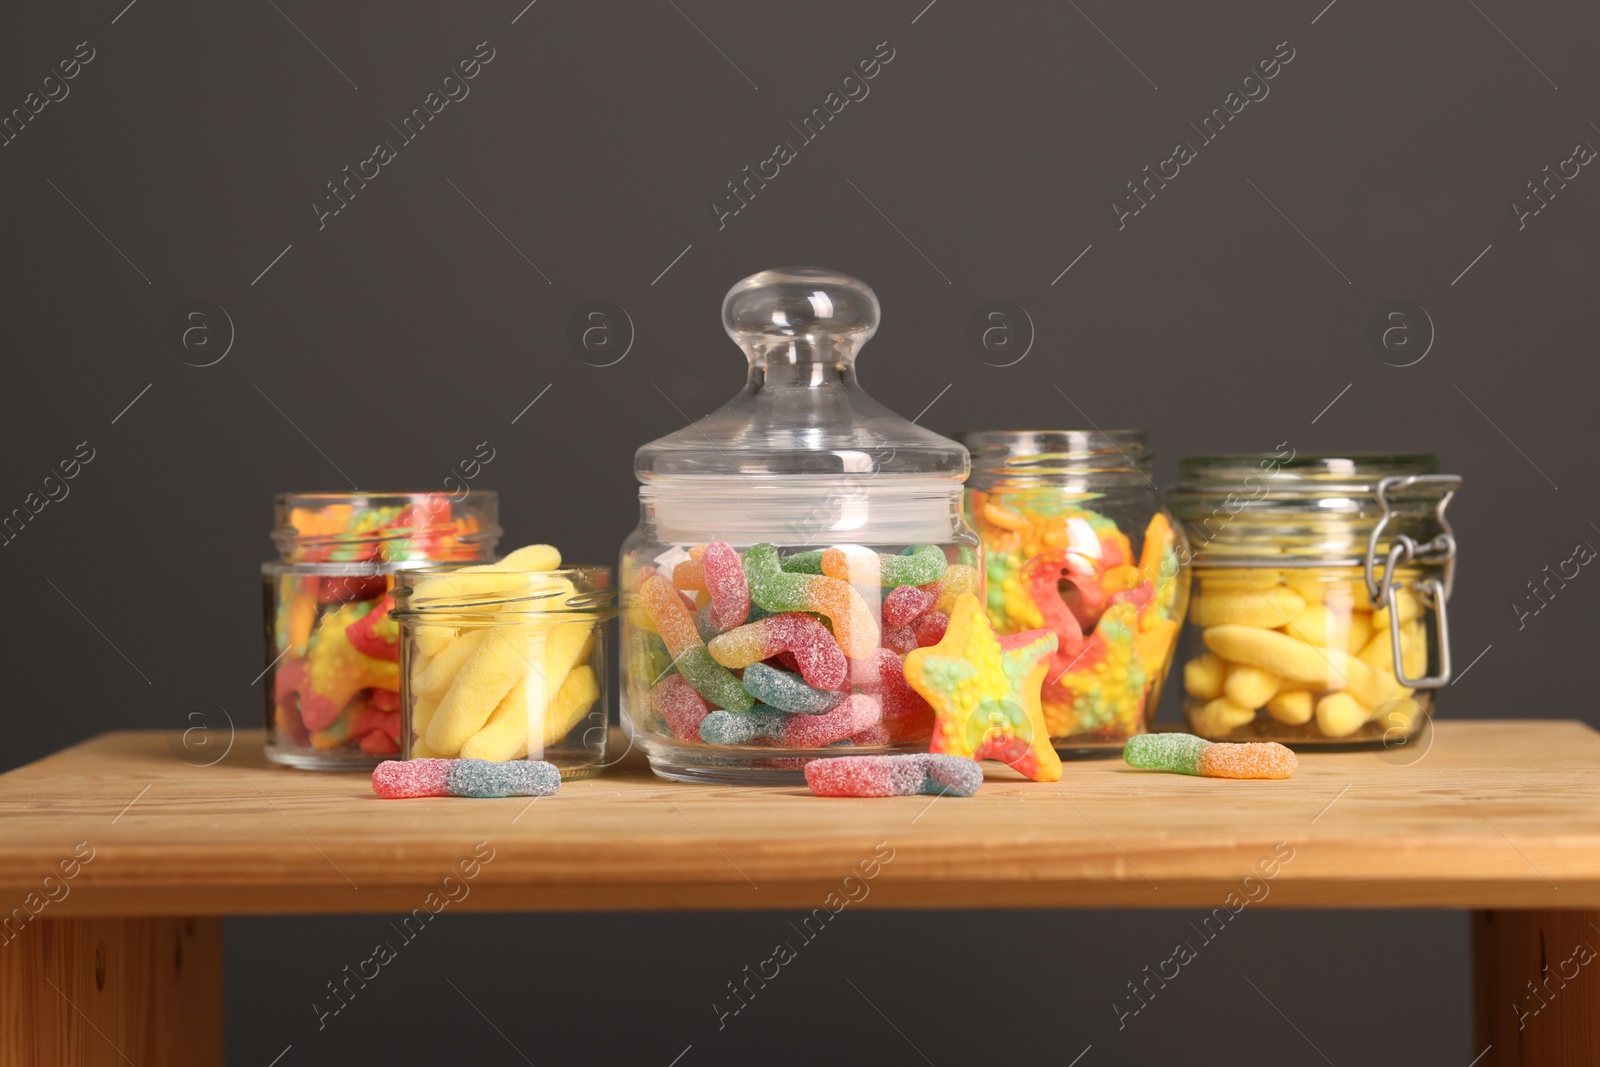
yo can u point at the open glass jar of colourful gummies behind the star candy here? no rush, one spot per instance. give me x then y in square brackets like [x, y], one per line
[1078, 540]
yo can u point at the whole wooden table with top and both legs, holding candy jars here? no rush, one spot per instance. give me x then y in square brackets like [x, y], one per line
[132, 855]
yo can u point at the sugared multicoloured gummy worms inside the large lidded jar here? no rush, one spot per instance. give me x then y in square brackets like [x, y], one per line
[791, 652]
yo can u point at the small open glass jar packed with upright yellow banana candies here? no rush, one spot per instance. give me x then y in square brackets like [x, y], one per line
[503, 665]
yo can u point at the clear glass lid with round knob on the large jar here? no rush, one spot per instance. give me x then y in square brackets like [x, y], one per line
[802, 412]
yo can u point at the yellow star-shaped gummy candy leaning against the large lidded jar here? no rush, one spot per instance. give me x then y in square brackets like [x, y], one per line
[985, 692]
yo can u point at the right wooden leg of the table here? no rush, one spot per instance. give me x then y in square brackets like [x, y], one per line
[1537, 988]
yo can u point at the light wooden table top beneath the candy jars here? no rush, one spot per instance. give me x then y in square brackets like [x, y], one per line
[1494, 815]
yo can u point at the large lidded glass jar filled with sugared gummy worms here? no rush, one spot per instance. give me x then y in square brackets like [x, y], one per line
[793, 548]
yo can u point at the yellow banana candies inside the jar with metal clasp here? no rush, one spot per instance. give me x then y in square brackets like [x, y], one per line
[1306, 647]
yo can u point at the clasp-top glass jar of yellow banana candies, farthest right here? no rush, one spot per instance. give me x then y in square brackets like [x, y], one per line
[1319, 596]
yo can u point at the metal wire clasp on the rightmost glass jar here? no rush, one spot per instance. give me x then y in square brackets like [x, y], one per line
[1433, 591]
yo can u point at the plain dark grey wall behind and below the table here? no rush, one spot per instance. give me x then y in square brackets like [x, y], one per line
[380, 351]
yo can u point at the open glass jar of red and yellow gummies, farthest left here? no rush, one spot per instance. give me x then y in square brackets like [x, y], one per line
[332, 647]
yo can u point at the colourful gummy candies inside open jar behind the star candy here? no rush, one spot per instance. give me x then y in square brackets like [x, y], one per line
[1052, 564]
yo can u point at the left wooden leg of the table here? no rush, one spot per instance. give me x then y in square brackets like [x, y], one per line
[113, 991]
